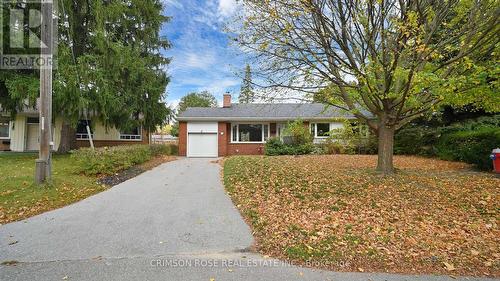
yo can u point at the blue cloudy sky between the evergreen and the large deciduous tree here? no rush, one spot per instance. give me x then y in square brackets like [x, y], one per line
[202, 58]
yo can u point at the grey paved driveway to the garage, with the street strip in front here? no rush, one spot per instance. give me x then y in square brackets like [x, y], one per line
[171, 223]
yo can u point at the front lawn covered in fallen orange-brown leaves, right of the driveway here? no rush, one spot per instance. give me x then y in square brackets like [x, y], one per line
[335, 212]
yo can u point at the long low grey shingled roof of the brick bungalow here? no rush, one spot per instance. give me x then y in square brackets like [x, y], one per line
[264, 112]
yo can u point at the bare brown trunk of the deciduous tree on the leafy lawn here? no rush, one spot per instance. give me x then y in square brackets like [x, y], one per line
[385, 150]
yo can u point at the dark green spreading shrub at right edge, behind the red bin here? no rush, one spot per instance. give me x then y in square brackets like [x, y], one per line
[473, 146]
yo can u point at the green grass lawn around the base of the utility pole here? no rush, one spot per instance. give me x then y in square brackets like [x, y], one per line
[21, 198]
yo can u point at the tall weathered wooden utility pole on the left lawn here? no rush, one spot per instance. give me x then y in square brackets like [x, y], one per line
[43, 169]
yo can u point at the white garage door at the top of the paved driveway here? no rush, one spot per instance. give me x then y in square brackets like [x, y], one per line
[202, 139]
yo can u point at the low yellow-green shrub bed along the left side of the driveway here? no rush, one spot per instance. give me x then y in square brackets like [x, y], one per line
[109, 160]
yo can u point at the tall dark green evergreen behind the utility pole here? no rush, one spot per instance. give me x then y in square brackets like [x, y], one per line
[109, 67]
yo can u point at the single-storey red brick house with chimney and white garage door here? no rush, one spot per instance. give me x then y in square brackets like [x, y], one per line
[244, 128]
